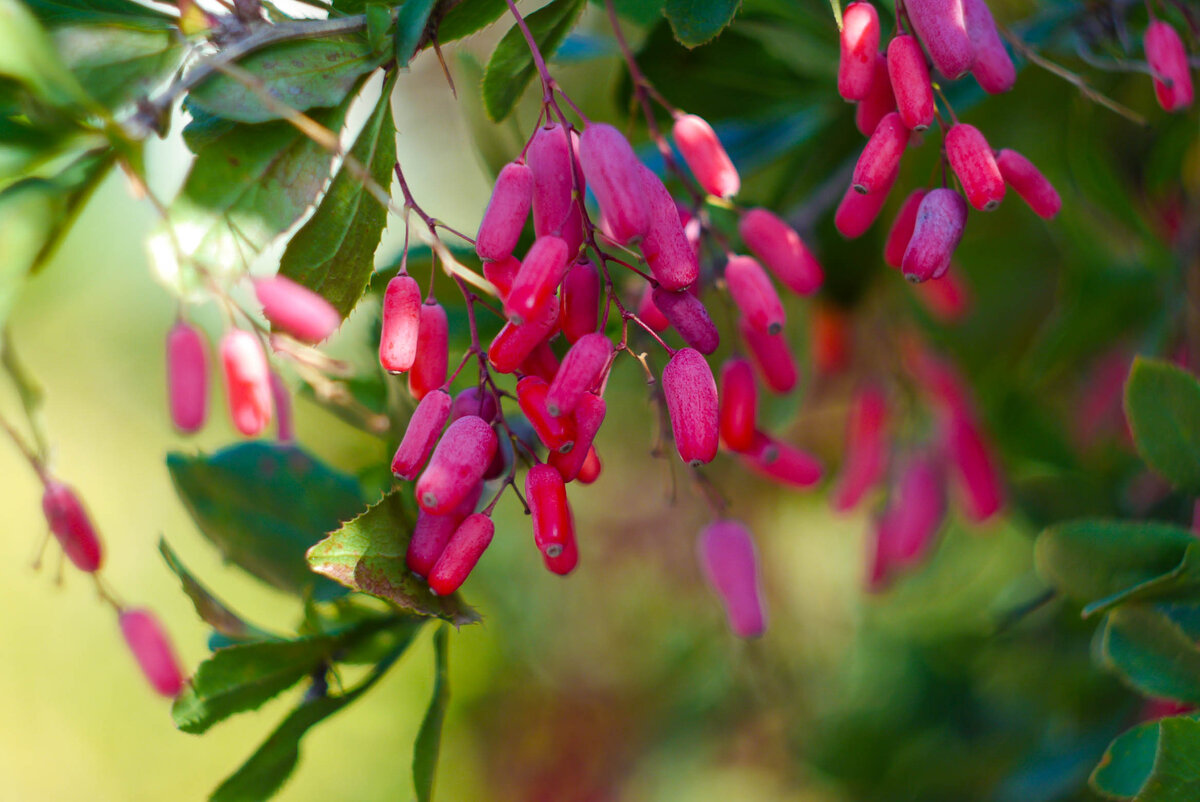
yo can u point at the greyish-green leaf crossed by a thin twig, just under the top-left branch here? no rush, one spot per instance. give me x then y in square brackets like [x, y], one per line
[303, 75]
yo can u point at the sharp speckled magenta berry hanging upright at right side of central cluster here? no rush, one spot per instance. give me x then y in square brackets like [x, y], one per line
[691, 393]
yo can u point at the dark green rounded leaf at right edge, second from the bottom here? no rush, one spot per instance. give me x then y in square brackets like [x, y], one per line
[1151, 654]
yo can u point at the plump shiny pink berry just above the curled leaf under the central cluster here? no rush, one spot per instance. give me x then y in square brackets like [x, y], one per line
[459, 463]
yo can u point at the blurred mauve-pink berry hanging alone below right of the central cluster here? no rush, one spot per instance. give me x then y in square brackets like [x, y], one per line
[730, 565]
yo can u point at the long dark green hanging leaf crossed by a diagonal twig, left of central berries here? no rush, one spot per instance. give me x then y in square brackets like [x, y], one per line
[334, 253]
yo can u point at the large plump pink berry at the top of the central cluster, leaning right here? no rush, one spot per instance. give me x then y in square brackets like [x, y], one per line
[613, 172]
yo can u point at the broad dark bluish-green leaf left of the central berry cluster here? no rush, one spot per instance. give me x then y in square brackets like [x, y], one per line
[263, 505]
